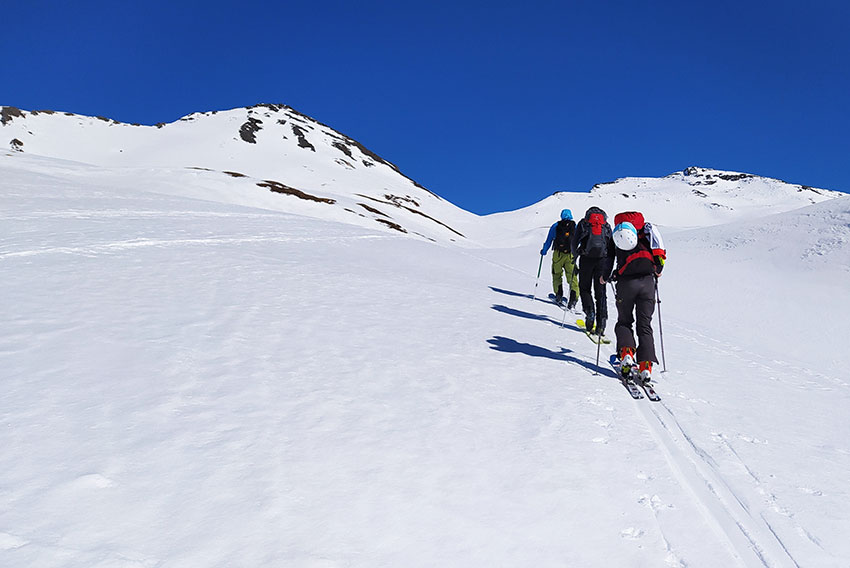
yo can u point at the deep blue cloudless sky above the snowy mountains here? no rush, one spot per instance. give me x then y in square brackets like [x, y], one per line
[493, 105]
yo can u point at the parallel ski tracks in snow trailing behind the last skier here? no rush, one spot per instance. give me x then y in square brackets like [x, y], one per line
[752, 541]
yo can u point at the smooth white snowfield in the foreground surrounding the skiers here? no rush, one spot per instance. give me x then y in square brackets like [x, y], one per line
[194, 377]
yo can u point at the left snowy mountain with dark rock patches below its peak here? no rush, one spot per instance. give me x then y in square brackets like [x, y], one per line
[240, 156]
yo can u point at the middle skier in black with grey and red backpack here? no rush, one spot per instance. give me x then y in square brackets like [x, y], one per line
[593, 246]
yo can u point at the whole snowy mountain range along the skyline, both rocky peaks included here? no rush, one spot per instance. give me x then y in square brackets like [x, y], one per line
[273, 157]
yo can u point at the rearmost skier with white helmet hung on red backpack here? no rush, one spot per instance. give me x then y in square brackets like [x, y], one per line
[640, 260]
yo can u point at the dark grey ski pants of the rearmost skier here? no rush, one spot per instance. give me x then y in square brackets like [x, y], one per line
[636, 297]
